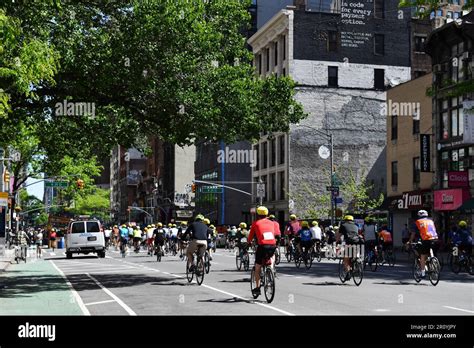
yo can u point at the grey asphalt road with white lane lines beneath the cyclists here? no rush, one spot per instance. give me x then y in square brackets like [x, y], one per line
[139, 285]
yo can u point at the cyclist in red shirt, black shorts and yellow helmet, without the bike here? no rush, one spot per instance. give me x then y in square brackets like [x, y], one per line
[264, 230]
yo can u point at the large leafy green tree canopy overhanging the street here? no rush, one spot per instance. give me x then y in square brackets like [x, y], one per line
[179, 70]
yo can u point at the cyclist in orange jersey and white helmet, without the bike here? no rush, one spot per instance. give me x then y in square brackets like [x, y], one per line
[426, 230]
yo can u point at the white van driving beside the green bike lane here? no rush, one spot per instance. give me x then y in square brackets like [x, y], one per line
[84, 237]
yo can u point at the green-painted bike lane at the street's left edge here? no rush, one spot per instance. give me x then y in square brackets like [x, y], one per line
[35, 288]
